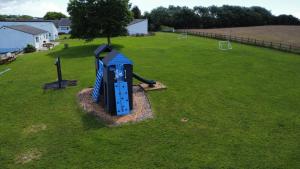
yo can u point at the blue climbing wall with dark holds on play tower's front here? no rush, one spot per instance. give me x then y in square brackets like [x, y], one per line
[122, 101]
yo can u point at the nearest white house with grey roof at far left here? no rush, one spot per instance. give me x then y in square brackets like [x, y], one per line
[19, 36]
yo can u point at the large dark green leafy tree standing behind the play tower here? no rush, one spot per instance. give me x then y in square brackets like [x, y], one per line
[94, 18]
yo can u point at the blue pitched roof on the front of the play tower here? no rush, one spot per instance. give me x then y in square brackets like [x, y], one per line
[115, 58]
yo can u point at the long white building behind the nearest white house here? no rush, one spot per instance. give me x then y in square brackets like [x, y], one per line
[40, 24]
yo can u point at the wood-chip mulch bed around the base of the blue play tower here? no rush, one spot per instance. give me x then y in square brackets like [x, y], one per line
[141, 107]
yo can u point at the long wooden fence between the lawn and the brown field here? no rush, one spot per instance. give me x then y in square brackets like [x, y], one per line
[288, 47]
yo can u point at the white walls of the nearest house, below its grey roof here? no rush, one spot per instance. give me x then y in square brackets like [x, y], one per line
[15, 39]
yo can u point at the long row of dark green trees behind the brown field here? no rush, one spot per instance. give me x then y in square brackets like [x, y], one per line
[215, 17]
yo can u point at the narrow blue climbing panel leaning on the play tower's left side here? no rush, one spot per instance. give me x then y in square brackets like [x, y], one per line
[98, 84]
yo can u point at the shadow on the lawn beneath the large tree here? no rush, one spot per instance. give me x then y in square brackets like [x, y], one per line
[79, 51]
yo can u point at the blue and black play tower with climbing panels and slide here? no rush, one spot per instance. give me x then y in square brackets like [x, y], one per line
[114, 80]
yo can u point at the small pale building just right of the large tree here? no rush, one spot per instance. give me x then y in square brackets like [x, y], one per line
[138, 26]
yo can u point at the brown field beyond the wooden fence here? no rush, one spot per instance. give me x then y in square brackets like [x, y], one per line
[286, 34]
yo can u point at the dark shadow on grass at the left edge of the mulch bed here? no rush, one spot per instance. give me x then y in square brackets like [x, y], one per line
[91, 122]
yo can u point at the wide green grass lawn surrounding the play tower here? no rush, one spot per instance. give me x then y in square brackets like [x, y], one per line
[243, 107]
